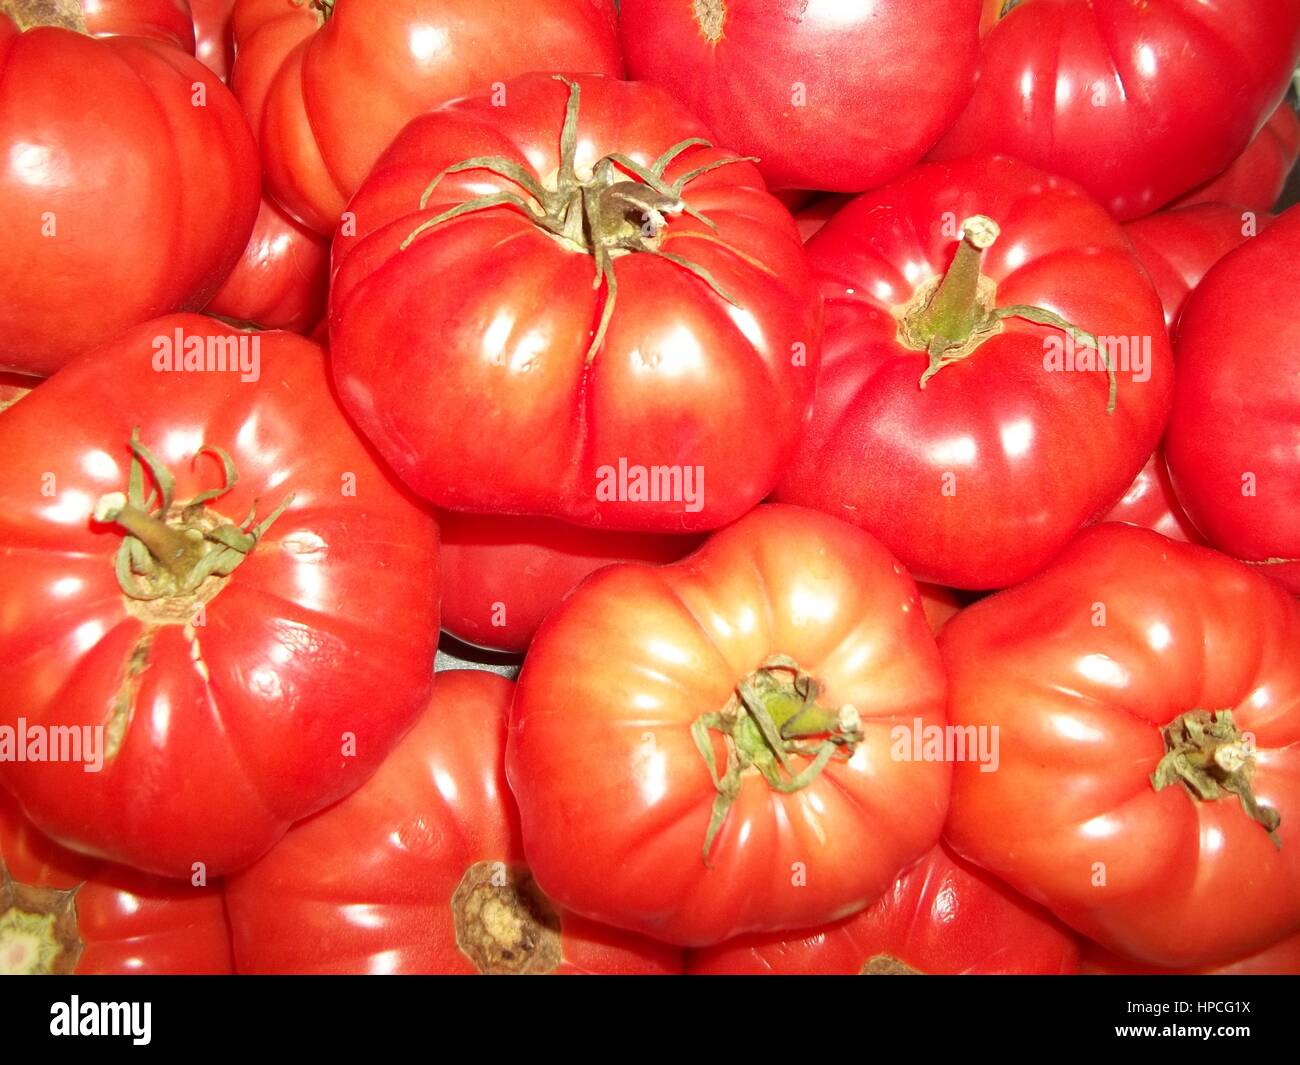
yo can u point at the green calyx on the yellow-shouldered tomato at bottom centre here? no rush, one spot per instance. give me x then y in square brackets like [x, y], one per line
[773, 716]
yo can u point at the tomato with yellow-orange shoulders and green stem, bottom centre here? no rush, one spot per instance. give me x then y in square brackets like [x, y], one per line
[709, 748]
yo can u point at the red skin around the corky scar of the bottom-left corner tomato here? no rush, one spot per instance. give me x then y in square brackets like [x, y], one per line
[129, 923]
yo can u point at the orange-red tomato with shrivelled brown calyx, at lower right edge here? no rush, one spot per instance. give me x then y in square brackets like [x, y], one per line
[1147, 700]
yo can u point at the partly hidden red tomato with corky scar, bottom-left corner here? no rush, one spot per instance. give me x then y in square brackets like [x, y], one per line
[66, 914]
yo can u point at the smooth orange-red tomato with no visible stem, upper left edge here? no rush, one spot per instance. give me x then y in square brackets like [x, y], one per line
[120, 211]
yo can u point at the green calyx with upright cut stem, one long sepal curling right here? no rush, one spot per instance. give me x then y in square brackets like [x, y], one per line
[951, 317]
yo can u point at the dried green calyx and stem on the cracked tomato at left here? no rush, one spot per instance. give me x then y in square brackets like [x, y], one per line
[177, 552]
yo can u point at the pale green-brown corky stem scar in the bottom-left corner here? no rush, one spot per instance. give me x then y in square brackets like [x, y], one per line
[38, 929]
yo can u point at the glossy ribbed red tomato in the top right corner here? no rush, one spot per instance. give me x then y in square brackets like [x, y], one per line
[1137, 102]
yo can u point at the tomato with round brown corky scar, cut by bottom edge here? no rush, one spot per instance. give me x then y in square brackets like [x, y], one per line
[422, 871]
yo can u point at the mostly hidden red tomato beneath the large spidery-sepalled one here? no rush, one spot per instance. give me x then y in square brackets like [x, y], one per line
[501, 577]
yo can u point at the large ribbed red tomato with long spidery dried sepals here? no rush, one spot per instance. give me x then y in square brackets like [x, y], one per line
[502, 367]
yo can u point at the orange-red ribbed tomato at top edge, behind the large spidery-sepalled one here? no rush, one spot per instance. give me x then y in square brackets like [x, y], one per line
[328, 84]
